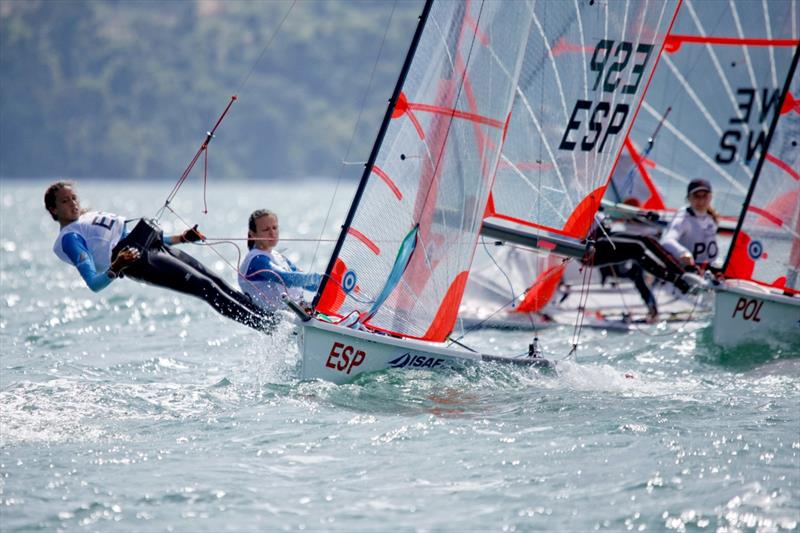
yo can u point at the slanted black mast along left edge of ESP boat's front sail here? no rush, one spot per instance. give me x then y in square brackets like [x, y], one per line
[423, 18]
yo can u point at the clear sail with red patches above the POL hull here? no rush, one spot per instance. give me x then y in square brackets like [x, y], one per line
[766, 245]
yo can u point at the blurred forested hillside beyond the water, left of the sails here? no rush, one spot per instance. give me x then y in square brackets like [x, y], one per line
[129, 88]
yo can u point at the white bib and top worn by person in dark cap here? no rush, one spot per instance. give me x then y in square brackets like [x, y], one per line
[694, 234]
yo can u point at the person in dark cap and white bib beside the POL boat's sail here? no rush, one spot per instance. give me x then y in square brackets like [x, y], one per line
[691, 236]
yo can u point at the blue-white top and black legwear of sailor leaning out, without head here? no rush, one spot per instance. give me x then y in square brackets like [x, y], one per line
[92, 242]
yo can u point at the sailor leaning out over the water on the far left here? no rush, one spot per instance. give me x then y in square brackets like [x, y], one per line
[100, 246]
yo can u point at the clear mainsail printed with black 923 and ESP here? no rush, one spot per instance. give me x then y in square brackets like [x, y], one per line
[576, 101]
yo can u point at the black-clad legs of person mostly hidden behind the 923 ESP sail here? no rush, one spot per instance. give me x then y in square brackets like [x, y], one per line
[627, 254]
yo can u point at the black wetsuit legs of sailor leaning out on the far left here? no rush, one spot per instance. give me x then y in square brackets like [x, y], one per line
[167, 267]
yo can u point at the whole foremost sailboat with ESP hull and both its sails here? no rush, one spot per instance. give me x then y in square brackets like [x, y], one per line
[481, 79]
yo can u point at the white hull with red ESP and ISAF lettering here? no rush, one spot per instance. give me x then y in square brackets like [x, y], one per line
[338, 354]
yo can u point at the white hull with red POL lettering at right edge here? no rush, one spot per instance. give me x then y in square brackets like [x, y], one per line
[746, 312]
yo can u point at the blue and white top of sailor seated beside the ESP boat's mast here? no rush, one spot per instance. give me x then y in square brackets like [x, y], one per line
[265, 276]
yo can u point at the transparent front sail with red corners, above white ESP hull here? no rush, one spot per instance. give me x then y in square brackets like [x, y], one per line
[432, 171]
